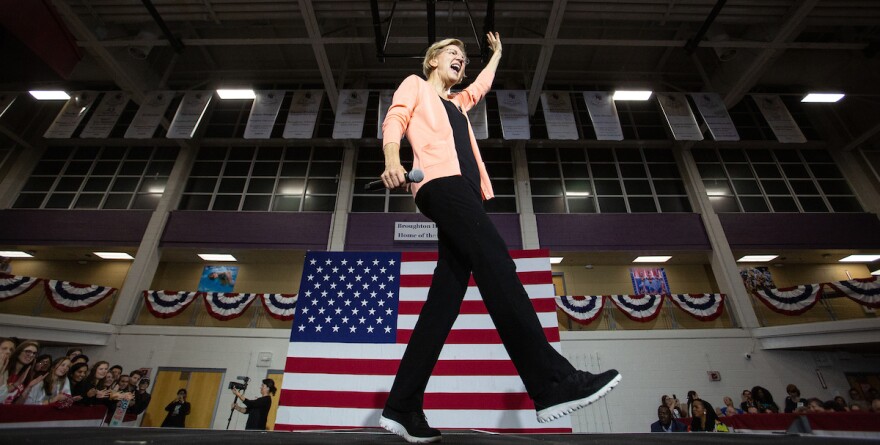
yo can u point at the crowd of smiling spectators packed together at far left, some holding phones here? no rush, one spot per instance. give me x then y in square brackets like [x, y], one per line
[30, 378]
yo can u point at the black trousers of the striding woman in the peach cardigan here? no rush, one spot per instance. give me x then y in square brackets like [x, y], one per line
[470, 243]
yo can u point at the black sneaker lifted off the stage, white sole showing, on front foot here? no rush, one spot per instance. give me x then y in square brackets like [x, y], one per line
[576, 391]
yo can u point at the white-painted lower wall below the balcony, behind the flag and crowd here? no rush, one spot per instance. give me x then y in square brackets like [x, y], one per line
[653, 363]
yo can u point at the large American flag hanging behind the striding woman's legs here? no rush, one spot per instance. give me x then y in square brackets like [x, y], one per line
[356, 312]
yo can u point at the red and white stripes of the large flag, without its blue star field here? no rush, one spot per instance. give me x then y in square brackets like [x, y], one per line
[474, 384]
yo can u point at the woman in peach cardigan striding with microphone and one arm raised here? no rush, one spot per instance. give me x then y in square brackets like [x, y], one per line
[435, 122]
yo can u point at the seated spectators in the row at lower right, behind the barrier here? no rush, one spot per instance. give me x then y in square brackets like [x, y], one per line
[696, 414]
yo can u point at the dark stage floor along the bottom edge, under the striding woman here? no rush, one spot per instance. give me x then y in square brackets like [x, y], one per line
[144, 436]
